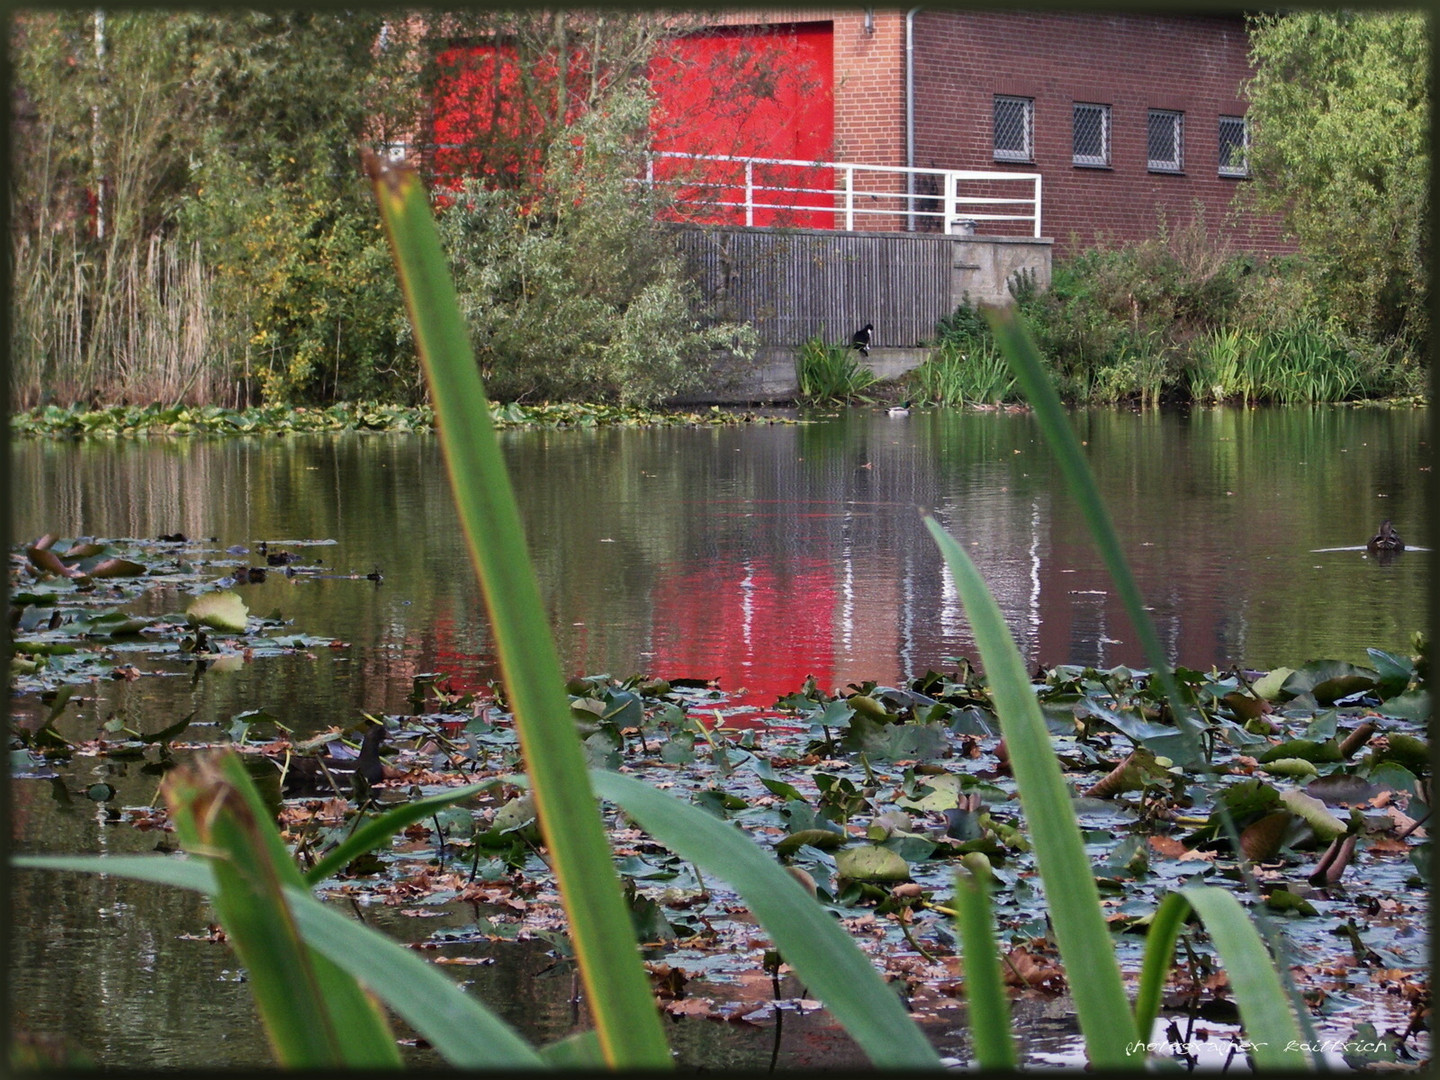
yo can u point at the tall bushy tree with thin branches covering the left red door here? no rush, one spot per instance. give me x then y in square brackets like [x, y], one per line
[572, 283]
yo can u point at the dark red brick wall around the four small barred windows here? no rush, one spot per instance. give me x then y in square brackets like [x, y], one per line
[1130, 63]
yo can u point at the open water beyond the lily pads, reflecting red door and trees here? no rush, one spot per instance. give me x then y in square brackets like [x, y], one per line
[765, 555]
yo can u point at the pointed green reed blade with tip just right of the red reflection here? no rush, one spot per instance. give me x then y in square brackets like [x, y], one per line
[1072, 895]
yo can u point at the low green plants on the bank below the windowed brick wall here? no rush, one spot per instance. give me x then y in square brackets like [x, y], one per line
[1179, 316]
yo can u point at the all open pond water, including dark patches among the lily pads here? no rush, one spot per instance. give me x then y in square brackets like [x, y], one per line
[755, 557]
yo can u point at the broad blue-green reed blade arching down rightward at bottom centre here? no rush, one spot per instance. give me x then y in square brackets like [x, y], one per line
[810, 940]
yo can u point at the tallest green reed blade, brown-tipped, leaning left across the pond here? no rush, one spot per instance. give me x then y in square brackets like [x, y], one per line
[618, 993]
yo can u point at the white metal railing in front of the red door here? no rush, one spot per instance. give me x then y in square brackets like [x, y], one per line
[964, 195]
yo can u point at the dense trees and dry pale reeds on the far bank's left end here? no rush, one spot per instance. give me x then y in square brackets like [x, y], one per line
[168, 256]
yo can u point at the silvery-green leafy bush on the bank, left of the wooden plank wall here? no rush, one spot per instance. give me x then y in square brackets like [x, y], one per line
[580, 297]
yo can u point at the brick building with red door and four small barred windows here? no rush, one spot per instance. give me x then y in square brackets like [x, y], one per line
[1131, 120]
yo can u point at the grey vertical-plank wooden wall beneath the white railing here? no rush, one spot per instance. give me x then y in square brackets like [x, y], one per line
[796, 284]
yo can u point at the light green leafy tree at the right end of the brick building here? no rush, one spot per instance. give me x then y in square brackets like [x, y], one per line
[1340, 145]
